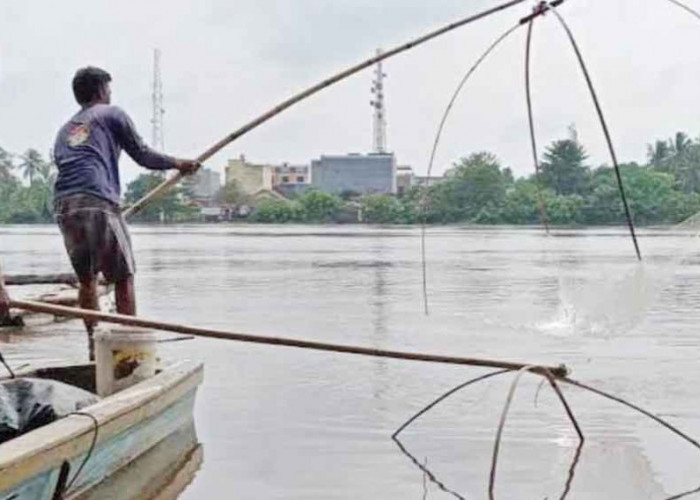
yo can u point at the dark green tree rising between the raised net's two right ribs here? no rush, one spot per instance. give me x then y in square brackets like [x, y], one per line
[563, 167]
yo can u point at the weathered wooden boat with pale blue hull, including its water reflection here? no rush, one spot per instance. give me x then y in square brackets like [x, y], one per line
[145, 443]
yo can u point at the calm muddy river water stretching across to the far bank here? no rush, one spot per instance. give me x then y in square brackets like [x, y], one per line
[281, 423]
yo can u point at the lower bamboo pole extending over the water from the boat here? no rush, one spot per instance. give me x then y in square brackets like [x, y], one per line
[557, 371]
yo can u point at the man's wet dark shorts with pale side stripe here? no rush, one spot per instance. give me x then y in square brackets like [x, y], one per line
[96, 237]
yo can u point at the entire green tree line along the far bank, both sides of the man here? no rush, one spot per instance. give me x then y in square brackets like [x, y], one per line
[477, 189]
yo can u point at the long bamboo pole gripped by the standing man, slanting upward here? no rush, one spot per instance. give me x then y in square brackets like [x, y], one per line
[168, 183]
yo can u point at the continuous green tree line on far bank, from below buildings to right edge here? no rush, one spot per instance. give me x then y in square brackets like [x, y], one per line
[479, 189]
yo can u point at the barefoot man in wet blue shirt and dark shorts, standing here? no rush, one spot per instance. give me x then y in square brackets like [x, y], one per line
[87, 190]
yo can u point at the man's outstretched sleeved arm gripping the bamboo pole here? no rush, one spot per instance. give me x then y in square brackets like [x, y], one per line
[130, 140]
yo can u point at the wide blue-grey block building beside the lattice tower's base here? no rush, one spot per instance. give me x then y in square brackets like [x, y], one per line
[355, 173]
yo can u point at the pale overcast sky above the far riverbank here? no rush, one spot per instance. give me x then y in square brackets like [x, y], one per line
[225, 62]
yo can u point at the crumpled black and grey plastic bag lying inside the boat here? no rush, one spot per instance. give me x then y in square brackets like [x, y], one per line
[29, 403]
